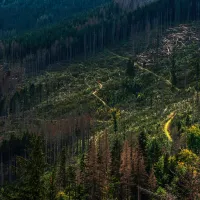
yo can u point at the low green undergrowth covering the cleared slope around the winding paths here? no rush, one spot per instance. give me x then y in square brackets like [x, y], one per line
[143, 101]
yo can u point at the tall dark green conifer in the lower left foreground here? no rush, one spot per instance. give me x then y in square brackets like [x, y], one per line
[31, 172]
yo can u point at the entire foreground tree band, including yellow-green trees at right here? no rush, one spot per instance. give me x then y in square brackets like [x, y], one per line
[120, 171]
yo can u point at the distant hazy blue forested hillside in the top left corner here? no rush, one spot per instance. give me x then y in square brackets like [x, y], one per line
[20, 15]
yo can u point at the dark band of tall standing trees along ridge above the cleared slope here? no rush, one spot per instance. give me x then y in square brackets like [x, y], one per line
[84, 36]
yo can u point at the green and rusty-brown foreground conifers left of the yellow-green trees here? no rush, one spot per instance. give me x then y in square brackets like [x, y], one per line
[102, 173]
